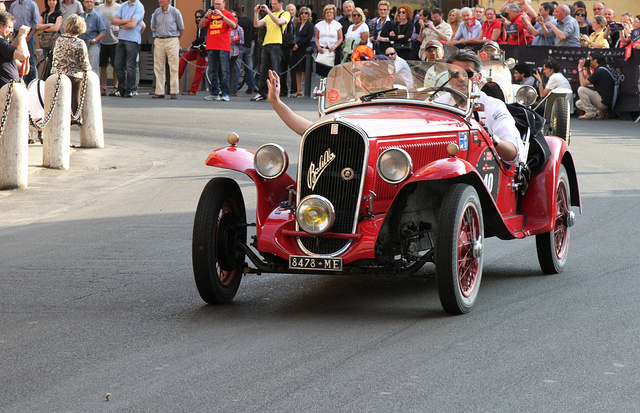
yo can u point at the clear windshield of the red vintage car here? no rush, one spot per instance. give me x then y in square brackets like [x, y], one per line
[426, 82]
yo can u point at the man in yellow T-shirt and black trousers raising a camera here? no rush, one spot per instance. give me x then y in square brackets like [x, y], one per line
[271, 52]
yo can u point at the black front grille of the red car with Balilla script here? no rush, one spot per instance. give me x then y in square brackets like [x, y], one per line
[333, 165]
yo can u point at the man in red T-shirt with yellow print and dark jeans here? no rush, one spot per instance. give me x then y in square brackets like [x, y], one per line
[219, 23]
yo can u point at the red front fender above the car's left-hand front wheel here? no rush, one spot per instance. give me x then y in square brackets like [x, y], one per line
[270, 192]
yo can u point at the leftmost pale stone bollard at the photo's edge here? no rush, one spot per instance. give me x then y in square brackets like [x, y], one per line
[14, 142]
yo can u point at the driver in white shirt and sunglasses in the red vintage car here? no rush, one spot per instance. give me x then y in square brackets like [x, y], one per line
[494, 116]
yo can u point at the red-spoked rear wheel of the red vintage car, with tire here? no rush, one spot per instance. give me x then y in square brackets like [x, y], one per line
[553, 246]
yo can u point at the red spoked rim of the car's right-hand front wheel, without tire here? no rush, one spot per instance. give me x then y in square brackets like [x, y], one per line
[469, 237]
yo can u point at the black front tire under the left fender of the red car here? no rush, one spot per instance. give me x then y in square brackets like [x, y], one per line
[219, 225]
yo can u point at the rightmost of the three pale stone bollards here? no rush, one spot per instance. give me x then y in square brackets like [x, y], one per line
[92, 131]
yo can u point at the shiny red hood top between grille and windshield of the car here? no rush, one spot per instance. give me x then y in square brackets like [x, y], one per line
[393, 120]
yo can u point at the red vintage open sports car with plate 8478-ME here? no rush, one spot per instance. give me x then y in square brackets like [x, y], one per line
[397, 172]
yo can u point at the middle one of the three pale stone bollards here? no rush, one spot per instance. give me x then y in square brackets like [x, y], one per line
[57, 133]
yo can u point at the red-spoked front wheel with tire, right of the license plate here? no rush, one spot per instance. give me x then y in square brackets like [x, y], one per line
[459, 239]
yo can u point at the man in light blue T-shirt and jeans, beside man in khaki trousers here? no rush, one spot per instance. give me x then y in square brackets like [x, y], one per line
[129, 19]
